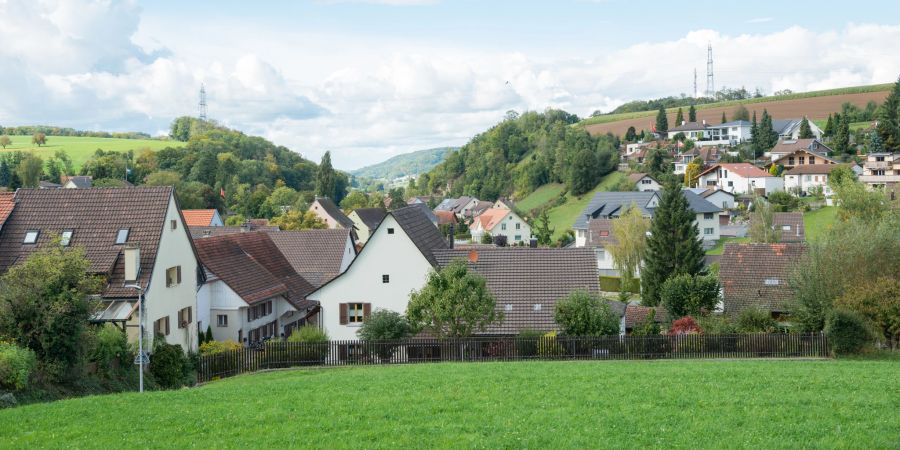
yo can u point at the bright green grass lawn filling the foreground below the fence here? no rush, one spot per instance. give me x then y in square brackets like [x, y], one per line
[627, 404]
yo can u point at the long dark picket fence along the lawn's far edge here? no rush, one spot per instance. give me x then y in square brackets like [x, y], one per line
[273, 355]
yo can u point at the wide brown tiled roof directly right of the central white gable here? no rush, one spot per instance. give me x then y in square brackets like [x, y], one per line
[522, 278]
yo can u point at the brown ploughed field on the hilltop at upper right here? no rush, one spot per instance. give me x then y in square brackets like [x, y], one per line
[816, 105]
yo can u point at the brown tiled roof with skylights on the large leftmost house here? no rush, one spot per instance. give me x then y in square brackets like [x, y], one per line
[94, 216]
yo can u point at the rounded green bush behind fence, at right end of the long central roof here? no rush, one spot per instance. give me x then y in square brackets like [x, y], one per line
[584, 314]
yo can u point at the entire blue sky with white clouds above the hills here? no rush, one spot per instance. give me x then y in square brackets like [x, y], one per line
[370, 79]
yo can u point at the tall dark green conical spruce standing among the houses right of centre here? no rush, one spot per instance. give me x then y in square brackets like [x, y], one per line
[673, 247]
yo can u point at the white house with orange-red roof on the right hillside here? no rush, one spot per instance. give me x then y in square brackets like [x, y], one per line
[740, 178]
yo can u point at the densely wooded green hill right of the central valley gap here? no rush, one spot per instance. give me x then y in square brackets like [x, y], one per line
[522, 153]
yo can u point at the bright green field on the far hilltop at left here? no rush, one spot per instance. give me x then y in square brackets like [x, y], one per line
[80, 149]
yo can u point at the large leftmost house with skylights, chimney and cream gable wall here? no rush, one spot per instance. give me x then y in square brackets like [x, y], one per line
[108, 222]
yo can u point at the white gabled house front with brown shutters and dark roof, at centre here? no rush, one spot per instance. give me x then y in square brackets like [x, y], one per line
[394, 262]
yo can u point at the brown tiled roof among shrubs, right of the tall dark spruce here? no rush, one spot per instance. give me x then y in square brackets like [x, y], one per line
[756, 275]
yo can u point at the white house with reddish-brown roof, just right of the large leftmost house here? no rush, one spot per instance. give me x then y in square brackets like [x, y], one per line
[251, 291]
